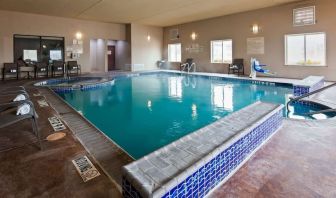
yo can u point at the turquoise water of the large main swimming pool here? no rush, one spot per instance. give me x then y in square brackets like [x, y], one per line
[144, 113]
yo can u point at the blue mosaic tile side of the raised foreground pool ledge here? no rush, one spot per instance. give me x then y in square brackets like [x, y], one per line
[218, 166]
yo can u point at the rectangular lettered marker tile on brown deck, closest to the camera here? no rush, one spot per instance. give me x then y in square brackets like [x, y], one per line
[85, 168]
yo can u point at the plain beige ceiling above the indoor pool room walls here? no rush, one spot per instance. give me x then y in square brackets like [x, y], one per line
[149, 12]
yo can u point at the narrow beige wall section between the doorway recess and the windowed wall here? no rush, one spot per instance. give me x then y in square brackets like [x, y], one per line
[143, 51]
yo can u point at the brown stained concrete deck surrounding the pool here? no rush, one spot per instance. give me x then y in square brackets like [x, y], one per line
[299, 160]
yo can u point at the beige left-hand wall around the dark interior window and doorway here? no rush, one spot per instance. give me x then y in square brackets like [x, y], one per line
[31, 24]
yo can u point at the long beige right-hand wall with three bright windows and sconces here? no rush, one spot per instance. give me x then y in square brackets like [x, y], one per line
[275, 23]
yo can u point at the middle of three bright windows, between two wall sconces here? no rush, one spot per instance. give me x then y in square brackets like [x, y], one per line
[221, 51]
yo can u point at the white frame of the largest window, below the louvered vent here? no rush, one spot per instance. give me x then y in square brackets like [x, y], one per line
[305, 50]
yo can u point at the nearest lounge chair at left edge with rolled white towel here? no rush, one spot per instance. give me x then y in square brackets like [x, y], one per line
[8, 116]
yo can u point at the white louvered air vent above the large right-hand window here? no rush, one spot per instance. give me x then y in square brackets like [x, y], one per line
[304, 16]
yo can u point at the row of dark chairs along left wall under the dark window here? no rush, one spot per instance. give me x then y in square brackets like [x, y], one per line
[40, 69]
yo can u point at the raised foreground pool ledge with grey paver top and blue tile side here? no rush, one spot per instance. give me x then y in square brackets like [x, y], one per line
[196, 164]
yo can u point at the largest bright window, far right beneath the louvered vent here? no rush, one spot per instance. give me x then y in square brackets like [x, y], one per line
[306, 49]
